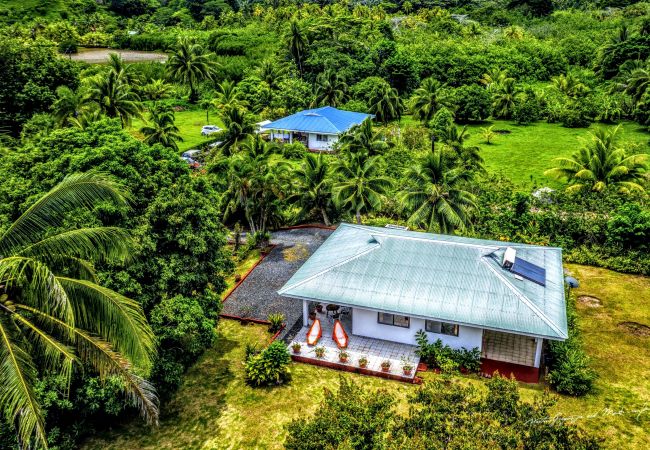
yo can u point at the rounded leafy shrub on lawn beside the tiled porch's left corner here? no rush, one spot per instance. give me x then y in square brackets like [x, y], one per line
[270, 367]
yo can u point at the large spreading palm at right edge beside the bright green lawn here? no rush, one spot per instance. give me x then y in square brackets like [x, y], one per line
[601, 164]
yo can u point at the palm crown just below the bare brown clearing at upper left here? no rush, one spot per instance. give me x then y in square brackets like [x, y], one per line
[113, 96]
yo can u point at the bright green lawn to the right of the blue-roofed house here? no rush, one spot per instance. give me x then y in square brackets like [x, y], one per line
[526, 152]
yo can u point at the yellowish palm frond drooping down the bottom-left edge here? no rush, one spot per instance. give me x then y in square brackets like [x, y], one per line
[17, 378]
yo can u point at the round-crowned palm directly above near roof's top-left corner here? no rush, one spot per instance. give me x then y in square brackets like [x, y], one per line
[359, 188]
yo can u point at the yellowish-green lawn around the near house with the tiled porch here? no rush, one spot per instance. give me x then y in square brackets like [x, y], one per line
[214, 408]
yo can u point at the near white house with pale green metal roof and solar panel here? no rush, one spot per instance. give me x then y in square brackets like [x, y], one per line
[501, 297]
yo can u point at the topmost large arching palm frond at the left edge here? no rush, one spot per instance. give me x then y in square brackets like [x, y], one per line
[75, 191]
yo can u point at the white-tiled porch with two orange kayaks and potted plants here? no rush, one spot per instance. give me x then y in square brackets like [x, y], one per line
[376, 351]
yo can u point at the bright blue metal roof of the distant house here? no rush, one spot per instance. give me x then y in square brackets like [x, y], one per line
[325, 120]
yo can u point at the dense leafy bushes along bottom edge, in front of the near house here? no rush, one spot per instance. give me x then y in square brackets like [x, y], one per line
[442, 414]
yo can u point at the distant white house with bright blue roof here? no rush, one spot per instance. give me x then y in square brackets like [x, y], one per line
[318, 129]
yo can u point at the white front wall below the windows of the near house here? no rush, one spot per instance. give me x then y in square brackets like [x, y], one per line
[364, 323]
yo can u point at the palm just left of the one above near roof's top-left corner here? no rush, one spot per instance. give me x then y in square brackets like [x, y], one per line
[312, 187]
